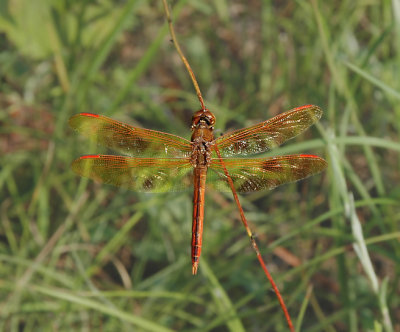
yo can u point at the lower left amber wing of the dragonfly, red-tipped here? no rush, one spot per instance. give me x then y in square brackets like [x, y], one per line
[140, 174]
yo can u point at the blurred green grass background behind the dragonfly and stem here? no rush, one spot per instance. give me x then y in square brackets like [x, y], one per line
[78, 255]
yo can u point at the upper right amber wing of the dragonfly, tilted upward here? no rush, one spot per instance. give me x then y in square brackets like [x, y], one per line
[268, 134]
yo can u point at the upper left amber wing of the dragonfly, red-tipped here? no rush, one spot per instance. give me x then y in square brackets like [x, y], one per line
[132, 141]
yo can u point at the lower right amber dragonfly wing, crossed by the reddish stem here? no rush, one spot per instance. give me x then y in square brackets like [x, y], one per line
[265, 173]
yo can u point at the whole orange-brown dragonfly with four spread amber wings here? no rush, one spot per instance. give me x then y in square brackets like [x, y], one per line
[156, 161]
